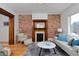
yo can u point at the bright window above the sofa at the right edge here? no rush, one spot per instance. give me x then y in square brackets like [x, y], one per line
[75, 24]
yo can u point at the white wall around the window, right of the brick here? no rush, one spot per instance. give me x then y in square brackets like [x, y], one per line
[65, 17]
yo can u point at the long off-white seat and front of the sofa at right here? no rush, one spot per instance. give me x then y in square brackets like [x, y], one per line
[68, 49]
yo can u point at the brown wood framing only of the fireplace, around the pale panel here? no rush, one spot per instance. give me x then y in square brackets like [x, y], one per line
[40, 29]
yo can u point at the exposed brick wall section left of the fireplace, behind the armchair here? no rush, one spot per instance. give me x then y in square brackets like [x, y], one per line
[25, 24]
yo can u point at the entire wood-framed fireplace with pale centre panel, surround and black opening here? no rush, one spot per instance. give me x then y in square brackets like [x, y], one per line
[39, 31]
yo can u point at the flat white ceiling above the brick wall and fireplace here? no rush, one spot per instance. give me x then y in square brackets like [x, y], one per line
[29, 8]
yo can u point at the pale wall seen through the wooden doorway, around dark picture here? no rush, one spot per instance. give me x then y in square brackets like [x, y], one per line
[4, 30]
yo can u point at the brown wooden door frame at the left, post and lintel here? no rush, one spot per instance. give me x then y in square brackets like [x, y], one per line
[11, 25]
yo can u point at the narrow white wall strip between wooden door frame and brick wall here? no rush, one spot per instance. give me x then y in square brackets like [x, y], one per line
[5, 7]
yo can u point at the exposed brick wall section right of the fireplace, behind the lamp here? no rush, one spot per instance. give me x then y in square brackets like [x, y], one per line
[53, 24]
